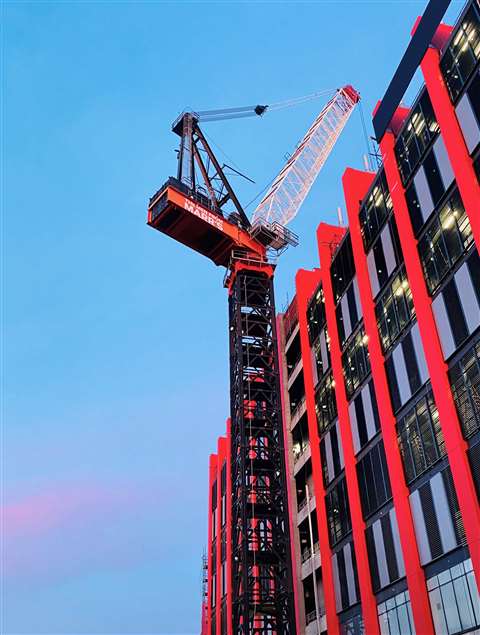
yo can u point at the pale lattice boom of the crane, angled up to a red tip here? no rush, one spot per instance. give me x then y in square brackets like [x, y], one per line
[287, 193]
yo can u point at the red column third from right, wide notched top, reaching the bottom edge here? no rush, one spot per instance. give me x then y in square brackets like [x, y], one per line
[356, 185]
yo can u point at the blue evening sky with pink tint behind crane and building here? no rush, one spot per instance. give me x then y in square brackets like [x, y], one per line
[116, 338]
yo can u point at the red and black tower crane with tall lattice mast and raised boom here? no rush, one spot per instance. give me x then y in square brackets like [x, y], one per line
[199, 208]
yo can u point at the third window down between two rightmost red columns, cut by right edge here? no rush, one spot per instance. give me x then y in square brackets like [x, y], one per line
[465, 380]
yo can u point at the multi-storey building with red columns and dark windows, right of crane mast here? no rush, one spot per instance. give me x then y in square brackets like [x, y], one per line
[380, 361]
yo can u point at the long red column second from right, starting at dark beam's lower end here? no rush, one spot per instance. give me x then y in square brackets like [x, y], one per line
[454, 442]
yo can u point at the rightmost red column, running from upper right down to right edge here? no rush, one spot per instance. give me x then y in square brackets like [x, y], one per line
[462, 164]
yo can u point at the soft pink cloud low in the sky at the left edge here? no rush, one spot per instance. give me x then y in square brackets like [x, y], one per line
[77, 527]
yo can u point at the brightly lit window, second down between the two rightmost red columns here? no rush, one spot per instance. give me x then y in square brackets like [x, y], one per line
[446, 239]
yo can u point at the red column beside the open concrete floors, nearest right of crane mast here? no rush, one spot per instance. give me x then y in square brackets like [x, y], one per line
[306, 282]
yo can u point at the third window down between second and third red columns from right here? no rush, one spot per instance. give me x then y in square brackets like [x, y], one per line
[420, 438]
